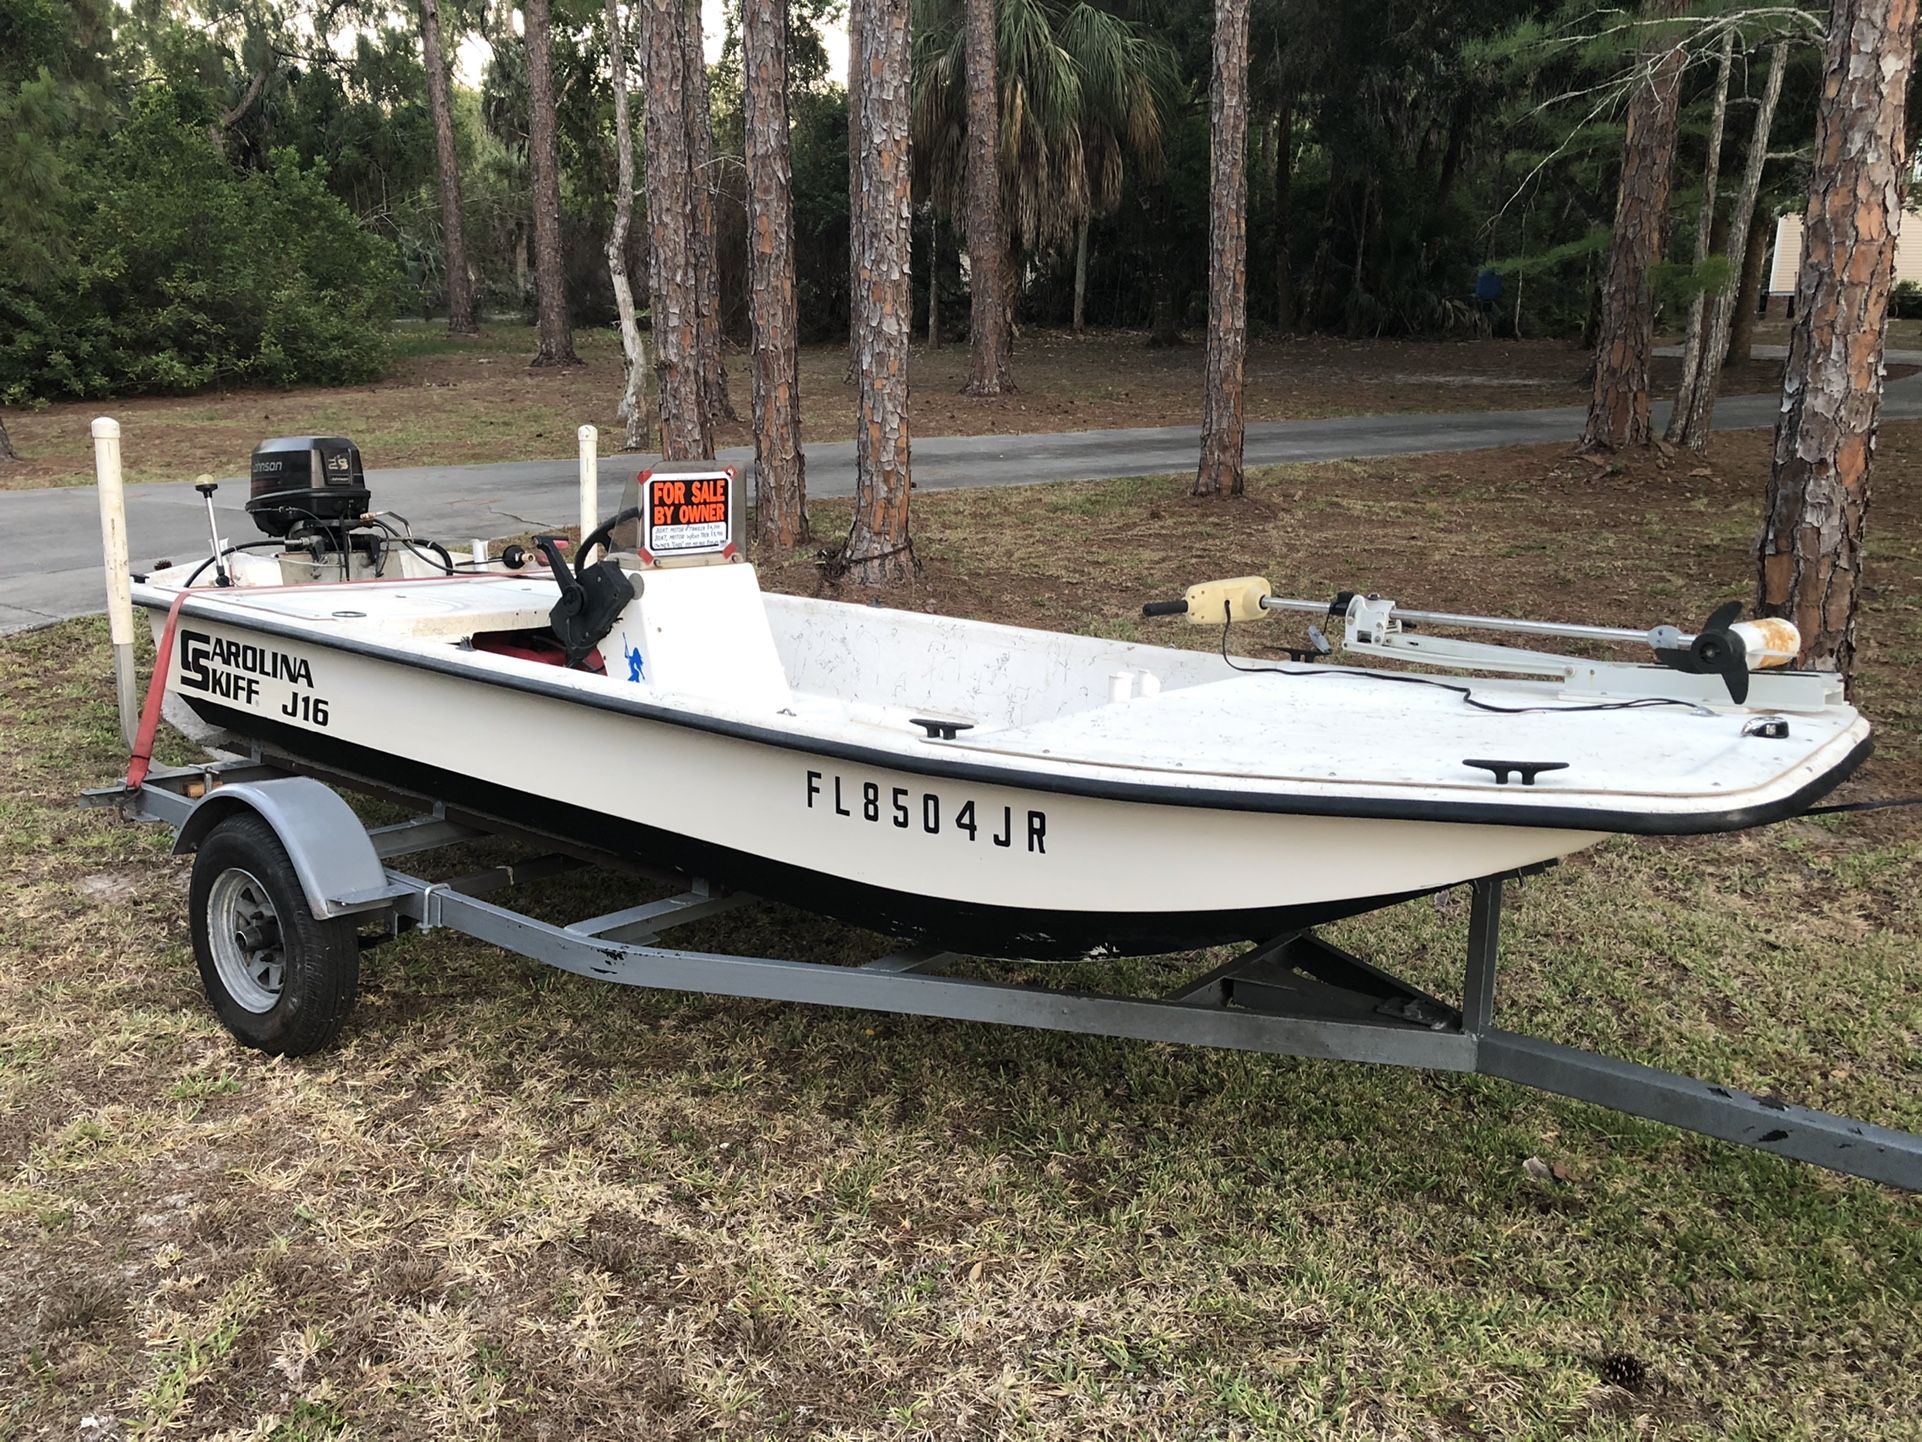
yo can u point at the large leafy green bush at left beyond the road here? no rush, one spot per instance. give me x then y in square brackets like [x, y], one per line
[184, 270]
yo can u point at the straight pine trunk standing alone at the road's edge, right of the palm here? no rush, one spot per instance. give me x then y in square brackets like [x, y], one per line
[1227, 286]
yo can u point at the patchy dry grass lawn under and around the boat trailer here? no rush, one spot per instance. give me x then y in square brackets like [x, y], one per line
[528, 1206]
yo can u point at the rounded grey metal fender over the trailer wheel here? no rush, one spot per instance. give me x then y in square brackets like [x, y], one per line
[332, 853]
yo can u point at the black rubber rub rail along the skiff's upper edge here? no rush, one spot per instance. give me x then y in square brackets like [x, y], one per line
[1369, 808]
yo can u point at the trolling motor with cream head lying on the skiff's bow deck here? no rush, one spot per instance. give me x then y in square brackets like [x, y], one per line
[1725, 647]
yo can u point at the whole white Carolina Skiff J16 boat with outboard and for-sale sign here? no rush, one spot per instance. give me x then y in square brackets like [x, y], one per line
[1000, 791]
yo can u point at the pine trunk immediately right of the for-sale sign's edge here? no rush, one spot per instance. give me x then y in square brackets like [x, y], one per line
[779, 468]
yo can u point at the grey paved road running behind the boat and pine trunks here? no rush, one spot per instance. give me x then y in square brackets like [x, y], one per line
[51, 568]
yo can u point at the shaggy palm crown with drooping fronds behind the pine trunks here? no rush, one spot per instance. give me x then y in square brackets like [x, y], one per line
[1083, 95]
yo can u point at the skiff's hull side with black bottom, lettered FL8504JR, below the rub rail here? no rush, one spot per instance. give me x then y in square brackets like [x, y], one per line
[975, 866]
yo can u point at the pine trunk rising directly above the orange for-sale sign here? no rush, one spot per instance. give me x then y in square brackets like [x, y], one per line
[670, 224]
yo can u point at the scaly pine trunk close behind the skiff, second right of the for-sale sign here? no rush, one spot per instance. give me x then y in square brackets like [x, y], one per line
[879, 547]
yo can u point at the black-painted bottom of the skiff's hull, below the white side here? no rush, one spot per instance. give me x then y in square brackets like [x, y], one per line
[966, 928]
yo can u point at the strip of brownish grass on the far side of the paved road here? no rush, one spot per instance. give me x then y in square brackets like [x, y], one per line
[476, 401]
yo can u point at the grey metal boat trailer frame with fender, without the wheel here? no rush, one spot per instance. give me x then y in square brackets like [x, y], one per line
[1294, 995]
